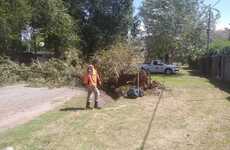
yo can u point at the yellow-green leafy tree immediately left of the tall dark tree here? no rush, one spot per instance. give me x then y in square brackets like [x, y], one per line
[52, 24]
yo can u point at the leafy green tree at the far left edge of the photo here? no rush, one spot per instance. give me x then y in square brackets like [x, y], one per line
[14, 17]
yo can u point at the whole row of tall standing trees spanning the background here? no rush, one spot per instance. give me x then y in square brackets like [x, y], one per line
[173, 29]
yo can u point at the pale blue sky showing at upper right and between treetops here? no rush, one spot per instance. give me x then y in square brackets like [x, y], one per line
[223, 6]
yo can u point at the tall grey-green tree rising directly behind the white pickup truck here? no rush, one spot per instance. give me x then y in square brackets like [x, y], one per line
[174, 27]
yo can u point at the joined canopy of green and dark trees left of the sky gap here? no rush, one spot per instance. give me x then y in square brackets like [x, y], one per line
[88, 25]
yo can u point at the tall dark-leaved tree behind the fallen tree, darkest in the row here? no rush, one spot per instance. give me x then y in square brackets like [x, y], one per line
[101, 21]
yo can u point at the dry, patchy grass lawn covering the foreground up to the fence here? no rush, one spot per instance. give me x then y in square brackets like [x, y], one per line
[193, 114]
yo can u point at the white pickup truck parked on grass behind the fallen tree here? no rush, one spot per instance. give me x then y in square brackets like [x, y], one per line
[156, 66]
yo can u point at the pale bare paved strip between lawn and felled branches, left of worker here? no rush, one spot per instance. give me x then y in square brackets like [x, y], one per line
[20, 104]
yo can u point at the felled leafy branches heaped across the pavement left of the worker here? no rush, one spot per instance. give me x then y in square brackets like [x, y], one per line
[54, 72]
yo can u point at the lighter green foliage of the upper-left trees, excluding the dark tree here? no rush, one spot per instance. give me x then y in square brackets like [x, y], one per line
[49, 20]
